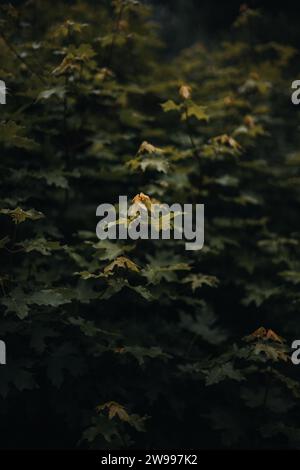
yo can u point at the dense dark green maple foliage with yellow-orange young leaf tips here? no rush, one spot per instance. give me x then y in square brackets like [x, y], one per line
[144, 344]
